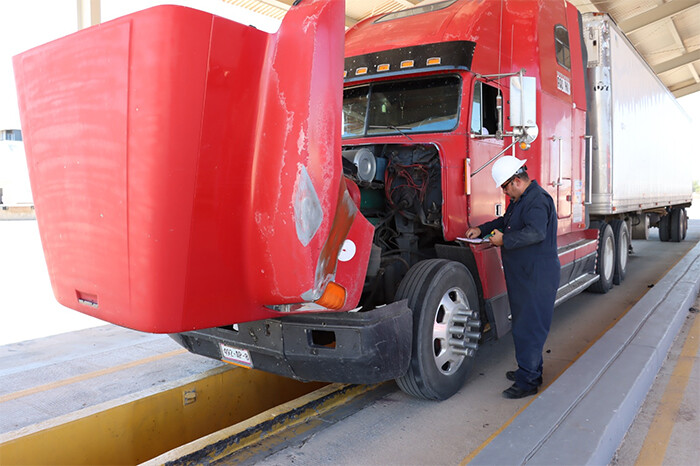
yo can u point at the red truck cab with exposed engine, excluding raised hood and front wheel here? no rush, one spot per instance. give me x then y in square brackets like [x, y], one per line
[427, 103]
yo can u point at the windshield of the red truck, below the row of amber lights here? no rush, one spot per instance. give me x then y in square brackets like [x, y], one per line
[416, 106]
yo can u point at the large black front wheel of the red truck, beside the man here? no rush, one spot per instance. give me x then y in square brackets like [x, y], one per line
[446, 323]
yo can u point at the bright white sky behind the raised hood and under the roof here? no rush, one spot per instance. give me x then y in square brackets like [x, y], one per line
[27, 23]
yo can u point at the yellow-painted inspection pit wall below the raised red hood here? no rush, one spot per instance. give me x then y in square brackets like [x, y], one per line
[141, 426]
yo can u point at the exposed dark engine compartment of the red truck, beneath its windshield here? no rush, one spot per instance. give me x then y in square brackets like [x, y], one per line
[401, 195]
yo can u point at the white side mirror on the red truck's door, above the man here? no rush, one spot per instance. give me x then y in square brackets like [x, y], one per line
[523, 108]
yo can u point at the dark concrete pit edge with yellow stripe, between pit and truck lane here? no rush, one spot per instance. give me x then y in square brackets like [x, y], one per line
[275, 426]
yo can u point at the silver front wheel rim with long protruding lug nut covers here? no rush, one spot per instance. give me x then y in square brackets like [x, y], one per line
[452, 341]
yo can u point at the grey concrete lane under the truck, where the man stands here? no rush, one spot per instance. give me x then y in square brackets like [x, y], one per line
[398, 429]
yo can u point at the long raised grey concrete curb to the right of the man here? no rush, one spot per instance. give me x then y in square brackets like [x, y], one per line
[583, 416]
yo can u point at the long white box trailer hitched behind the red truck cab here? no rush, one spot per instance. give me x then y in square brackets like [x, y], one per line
[639, 148]
